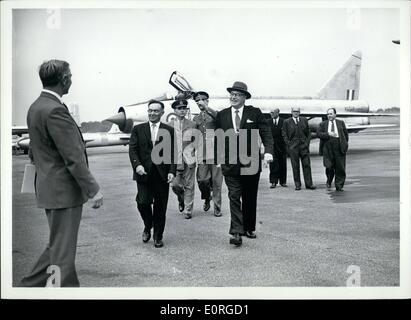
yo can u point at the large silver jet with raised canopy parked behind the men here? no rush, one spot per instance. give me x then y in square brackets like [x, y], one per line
[340, 92]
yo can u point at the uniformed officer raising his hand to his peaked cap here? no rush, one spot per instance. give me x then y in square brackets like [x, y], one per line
[209, 175]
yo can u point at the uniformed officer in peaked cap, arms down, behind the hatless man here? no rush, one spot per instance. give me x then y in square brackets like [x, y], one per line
[183, 184]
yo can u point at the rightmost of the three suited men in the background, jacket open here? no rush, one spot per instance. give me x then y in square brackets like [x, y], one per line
[333, 147]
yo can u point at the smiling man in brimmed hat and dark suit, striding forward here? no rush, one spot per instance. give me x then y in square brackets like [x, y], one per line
[241, 124]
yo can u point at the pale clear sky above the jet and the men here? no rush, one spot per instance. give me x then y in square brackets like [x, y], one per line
[122, 56]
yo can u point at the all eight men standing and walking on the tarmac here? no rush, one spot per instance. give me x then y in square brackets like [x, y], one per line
[64, 182]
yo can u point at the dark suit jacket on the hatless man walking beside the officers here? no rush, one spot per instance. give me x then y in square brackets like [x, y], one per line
[140, 147]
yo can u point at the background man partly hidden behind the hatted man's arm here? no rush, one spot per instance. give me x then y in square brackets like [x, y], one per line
[278, 168]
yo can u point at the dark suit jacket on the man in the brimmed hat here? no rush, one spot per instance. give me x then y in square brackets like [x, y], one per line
[252, 118]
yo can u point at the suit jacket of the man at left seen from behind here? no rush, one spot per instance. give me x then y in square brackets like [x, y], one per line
[63, 179]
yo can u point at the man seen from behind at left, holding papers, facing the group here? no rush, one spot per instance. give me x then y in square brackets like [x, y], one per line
[63, 180]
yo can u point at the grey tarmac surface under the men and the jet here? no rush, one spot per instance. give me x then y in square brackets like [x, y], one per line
[304, 238]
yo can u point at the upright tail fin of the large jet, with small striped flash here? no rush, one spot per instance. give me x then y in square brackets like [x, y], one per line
[345, 84]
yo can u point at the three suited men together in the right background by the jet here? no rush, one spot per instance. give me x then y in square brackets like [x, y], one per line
[292, 136]
